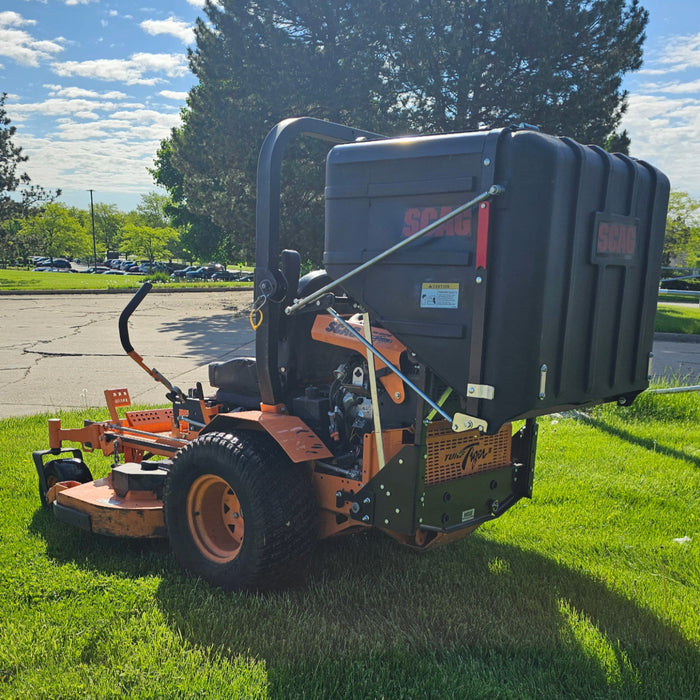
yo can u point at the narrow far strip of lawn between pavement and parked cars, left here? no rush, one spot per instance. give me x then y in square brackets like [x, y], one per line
[22, 280]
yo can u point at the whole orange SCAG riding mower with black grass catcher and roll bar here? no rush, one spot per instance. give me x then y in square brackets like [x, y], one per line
[471, 281]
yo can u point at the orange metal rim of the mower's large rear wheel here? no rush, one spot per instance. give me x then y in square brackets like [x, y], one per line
[215, 518]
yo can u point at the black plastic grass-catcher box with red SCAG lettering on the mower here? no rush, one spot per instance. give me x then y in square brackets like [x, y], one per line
[546, 294]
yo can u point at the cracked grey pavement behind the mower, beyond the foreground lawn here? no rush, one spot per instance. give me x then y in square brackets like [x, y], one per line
[61, 351]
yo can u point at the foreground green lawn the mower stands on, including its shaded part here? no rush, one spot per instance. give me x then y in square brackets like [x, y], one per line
[582, 592]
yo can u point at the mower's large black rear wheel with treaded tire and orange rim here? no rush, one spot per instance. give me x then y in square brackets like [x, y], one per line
[277, 507]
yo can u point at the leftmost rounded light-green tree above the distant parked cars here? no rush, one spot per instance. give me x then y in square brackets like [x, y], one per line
[55, 232]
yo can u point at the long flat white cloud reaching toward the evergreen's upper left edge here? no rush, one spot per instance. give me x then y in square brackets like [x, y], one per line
[131, 71]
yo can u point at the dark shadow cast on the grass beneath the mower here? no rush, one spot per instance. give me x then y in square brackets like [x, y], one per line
[373, 619]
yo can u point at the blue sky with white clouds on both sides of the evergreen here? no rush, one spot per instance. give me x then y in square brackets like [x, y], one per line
[94, 85]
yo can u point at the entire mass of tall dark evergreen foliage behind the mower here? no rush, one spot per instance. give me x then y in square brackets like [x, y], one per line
[390, 67]
